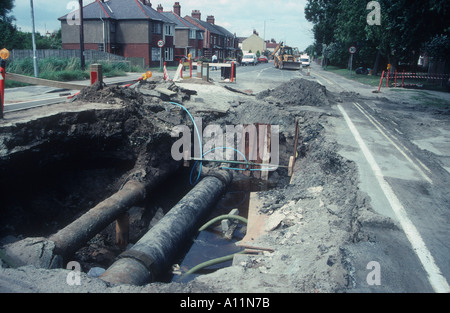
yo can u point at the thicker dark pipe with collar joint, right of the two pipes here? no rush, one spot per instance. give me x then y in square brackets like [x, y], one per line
[158, 248]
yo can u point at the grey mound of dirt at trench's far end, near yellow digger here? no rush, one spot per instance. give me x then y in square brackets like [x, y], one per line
[297, 92]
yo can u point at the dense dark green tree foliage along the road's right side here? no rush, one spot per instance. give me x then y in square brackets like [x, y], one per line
[405, 26]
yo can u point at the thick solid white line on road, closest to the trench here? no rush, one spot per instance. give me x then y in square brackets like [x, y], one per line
[435, 277]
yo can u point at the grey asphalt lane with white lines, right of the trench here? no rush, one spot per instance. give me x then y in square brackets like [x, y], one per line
[402, 151]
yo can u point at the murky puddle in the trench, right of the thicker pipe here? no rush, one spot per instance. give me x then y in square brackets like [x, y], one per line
[211, 243]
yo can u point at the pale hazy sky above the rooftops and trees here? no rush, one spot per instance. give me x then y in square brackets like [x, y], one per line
[283, 20]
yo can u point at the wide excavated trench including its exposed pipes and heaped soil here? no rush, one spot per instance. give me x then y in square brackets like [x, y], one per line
[68, 176]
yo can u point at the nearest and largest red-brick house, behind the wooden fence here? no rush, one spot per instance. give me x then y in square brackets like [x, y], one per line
[130, 28]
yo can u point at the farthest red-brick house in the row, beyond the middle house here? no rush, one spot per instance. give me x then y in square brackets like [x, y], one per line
[217, 40]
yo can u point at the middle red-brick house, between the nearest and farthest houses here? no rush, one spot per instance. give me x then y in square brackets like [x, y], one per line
[188, 37]
